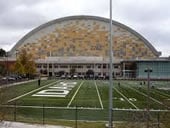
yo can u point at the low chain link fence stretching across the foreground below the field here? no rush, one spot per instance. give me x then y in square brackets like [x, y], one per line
[43, 114]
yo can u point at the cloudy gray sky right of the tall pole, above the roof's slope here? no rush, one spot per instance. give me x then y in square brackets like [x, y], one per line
[150, 18]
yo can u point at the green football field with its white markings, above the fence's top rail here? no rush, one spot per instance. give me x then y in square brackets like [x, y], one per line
[91, 94]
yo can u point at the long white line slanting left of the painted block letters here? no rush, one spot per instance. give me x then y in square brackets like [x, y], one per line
[31, 92]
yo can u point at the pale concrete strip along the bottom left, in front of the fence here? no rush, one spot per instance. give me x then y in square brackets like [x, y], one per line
[7, 124]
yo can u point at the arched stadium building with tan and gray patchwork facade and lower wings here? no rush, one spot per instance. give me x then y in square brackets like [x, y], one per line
[80, 43]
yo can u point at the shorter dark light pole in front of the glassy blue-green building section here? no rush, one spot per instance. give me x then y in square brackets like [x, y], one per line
[148, 70]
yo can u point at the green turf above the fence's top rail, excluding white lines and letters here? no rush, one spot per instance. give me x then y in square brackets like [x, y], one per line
[87, 94]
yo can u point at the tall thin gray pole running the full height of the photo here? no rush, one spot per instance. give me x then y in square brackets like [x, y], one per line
[111, 71]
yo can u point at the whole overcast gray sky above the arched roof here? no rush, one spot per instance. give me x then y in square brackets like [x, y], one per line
[151, 18]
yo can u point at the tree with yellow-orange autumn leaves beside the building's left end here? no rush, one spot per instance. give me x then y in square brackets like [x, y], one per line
[25, 64]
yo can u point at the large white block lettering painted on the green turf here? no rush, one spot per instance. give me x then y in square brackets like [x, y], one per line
[59, 90]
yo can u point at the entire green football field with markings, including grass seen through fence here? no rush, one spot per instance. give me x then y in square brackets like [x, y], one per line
[84, 100]
